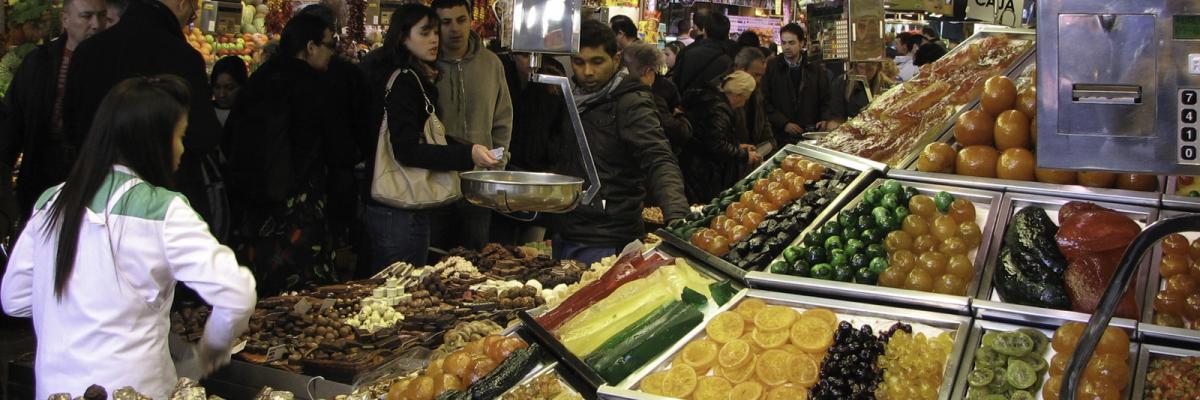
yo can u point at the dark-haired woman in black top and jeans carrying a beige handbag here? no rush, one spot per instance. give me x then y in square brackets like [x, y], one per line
[410, 47]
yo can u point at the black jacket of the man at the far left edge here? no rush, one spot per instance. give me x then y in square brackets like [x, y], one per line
[27, 132]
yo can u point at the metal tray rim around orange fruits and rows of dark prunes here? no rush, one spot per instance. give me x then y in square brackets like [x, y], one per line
[867, 169]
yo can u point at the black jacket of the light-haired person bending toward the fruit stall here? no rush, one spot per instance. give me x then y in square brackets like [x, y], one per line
[712, 158]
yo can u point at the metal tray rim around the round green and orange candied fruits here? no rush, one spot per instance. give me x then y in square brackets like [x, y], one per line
[987, 207]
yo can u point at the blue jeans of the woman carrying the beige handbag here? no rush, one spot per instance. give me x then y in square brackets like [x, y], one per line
[398, 235]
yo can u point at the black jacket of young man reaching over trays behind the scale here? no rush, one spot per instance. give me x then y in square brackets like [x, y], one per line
[631, 153]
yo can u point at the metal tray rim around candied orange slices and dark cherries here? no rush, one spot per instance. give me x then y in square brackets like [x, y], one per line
[959, 326]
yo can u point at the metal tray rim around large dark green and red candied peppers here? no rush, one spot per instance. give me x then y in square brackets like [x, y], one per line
[988, 303]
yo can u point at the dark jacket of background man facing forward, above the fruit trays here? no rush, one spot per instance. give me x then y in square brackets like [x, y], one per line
[805, 103]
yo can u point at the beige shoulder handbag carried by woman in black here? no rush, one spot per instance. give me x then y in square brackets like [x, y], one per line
[412, 188]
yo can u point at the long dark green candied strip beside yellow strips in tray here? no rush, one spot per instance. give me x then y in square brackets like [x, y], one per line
[626, 353]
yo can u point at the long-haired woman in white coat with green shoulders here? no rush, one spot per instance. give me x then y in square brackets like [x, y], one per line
[98, 264]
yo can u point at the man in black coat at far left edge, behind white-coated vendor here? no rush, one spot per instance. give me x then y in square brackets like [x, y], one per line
[35, 103]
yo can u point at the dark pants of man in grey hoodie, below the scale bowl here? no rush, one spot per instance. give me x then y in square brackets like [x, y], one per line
[460, 225]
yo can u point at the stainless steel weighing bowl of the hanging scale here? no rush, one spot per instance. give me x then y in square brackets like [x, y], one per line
[509, 192]
